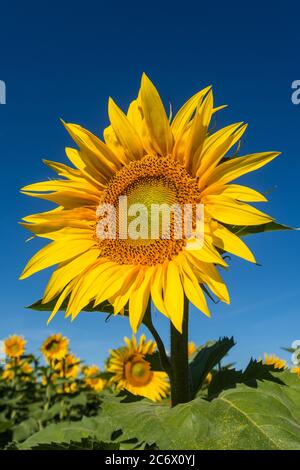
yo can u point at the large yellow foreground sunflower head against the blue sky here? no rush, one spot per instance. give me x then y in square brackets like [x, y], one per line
[152, 160]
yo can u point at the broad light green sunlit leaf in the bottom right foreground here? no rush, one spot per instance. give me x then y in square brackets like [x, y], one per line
[266, 417]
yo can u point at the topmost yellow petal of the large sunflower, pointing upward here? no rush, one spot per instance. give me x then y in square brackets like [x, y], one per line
[155, 117]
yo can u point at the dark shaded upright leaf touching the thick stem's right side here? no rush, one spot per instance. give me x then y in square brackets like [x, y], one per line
[206, 358]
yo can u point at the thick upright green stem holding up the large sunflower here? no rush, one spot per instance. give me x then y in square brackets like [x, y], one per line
[180, 373]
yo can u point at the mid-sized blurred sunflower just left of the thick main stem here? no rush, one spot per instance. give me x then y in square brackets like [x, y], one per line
[133, 373]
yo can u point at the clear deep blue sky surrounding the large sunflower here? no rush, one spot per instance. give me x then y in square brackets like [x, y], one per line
[65, 60]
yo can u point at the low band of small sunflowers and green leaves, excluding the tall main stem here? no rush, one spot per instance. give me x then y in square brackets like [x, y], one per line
[60, 403]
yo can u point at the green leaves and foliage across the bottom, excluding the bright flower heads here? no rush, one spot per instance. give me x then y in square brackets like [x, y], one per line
[255, 408]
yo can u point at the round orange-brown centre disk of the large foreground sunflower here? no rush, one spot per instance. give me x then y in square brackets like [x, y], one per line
[145, 195]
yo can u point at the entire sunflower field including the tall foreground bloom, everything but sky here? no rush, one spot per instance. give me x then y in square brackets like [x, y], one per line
[113, 252]
